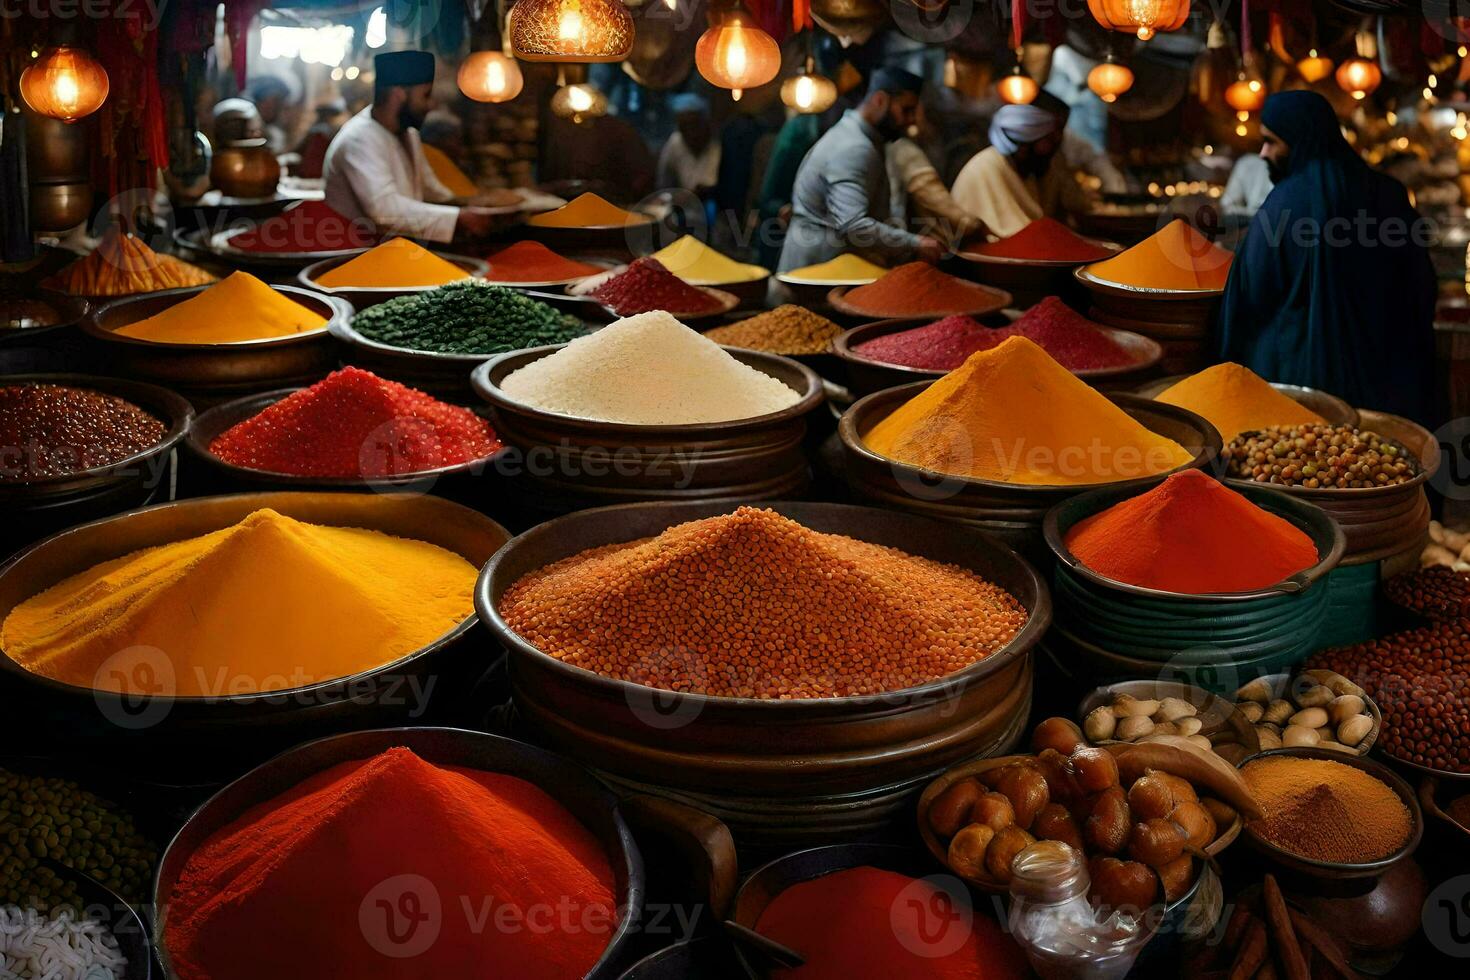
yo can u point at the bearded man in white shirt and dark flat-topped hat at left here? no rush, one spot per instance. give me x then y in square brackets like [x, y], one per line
[376, 165]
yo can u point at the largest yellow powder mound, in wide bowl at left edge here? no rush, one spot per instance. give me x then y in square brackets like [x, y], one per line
[267, 605]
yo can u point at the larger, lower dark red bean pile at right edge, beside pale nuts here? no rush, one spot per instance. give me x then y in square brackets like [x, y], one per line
[1421, 680]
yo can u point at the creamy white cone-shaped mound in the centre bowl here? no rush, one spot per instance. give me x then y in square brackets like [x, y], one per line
[648, 370]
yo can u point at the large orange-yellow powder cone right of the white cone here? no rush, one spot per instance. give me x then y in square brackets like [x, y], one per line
[1014, 415]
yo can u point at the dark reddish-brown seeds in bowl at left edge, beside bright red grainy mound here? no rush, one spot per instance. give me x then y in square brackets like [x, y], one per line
[54, 430]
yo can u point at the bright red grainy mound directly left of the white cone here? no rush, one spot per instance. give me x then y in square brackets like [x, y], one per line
[352, 425]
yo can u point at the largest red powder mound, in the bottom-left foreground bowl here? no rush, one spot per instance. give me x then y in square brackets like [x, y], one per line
[396, 869]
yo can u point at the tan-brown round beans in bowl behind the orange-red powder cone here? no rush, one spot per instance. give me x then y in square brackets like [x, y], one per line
[1316, 456]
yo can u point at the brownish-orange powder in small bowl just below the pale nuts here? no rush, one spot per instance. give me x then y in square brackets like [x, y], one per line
[1325, 810]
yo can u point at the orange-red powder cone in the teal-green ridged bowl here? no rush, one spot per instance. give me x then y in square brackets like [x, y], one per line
[1191, 536]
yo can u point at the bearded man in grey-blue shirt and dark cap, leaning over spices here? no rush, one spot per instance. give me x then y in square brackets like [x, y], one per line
[840, 199]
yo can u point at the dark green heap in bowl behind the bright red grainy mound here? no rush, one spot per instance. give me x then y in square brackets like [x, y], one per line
[467, 318]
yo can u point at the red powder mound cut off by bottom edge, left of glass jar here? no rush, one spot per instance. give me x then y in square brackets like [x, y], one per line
[872, 923]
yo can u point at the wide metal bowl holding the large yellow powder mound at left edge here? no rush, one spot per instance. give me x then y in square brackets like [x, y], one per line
[205, 727]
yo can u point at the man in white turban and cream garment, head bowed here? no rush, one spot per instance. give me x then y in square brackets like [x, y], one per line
[1000, 186]
